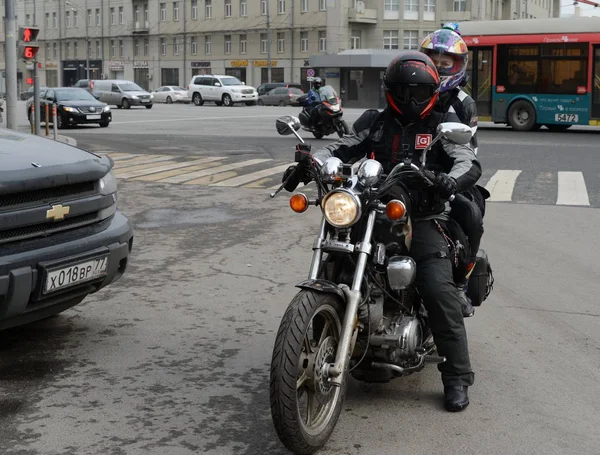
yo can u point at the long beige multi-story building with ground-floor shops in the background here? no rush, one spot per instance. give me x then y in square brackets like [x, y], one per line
[159, 42]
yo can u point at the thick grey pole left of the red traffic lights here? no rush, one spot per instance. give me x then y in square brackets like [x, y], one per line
[11, 65]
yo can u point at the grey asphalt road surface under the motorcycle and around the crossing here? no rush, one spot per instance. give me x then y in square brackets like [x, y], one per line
[174, 358]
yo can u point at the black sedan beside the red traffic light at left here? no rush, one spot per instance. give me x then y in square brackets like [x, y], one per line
[75, 106]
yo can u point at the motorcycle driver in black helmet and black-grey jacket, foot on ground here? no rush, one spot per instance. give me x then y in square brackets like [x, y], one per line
[402, 130]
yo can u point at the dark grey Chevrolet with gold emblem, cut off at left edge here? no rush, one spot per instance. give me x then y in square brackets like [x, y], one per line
[61, 235]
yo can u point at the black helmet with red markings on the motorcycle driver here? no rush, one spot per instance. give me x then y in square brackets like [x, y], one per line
[411, 83]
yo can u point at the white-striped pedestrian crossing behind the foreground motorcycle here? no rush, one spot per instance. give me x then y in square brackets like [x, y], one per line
[506, 185]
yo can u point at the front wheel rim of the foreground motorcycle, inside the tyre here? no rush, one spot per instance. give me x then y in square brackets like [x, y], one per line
[316, 398]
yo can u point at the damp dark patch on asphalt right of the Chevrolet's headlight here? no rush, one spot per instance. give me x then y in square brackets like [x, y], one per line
[171, 218]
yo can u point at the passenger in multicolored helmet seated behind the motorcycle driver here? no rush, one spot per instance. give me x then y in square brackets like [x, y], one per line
[450, 54]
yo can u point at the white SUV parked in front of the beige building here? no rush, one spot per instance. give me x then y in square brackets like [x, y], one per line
[221, 90]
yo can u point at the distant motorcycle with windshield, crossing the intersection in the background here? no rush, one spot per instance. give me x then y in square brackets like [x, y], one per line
[328, 113]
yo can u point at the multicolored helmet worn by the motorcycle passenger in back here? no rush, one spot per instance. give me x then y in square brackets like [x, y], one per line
[450, 54]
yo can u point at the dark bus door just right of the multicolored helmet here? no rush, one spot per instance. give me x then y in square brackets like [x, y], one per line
[479, 85]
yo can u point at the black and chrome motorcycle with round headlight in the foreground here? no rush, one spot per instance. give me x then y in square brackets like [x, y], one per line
[359, 312]
